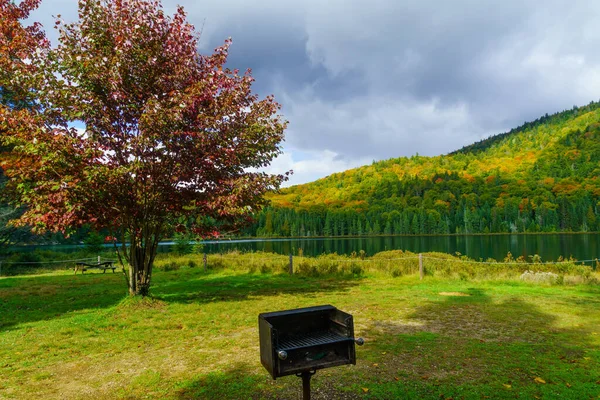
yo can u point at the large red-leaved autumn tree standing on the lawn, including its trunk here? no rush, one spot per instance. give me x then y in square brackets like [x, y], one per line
[167, 133]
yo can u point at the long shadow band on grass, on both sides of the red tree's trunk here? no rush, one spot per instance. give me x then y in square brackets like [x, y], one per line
[38, 298]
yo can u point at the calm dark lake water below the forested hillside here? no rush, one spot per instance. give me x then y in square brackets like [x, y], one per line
[549, 247]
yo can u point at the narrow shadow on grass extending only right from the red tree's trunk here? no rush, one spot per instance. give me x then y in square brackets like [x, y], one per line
[210, 288]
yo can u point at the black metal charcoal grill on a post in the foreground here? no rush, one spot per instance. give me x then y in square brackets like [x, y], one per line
[301, 341]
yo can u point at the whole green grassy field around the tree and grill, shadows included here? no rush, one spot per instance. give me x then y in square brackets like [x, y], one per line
[452, 335]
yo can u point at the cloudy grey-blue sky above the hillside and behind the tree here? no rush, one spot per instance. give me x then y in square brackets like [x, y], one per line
[370, 80]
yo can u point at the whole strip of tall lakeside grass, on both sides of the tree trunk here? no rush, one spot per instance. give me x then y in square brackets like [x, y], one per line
[394, 263]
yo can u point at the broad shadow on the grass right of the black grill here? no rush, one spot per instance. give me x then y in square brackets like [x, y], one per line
[472, 347]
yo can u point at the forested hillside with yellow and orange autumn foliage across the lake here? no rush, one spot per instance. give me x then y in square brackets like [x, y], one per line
[540, 177]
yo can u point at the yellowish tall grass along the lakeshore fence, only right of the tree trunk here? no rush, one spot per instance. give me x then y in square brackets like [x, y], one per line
[395, 263]
